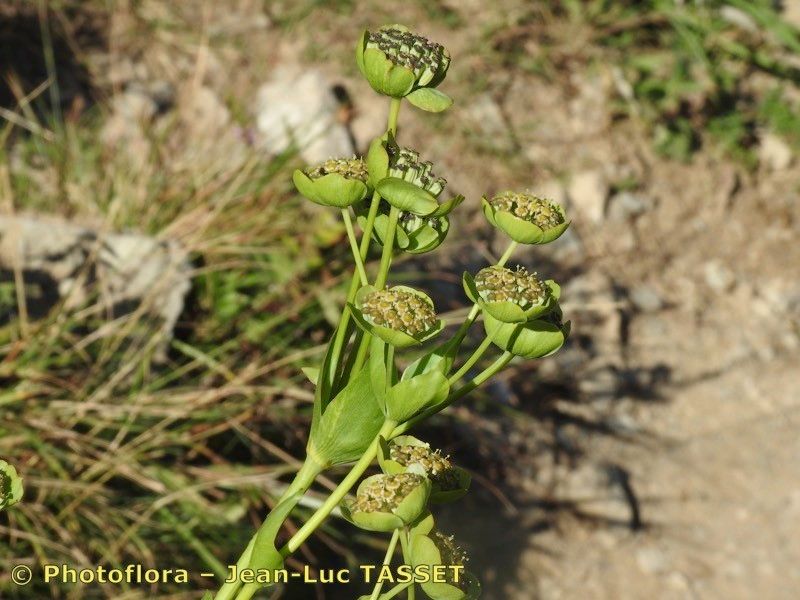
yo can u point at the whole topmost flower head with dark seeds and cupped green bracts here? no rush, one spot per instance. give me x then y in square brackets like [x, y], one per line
[399, 64]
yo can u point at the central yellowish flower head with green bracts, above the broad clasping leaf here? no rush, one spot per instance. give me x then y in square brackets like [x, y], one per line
[400, 316]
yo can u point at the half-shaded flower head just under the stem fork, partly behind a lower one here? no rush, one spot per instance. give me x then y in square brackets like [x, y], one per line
[406, 453]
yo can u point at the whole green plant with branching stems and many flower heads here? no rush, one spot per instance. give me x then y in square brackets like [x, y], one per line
[363, 404]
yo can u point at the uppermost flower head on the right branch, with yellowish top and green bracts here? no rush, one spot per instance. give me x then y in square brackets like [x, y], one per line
[525, 218]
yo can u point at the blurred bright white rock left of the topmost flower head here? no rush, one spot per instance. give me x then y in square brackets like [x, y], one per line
[297, 106]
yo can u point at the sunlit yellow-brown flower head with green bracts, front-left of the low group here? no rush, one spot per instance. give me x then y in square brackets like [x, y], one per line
[387, 502]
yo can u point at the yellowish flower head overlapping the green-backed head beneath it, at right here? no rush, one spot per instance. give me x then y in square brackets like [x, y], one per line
[511, 296]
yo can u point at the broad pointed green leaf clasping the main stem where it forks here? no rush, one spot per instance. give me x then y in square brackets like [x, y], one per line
[349, 424]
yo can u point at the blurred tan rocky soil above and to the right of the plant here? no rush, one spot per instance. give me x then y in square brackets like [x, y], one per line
[664, 460]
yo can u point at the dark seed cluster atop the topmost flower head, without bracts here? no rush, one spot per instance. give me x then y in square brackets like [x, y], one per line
[412, 51]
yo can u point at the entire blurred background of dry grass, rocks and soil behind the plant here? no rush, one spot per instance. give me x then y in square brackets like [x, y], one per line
[161, 283]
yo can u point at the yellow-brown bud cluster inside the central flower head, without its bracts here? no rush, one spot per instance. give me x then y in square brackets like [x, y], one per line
[399, 310]
